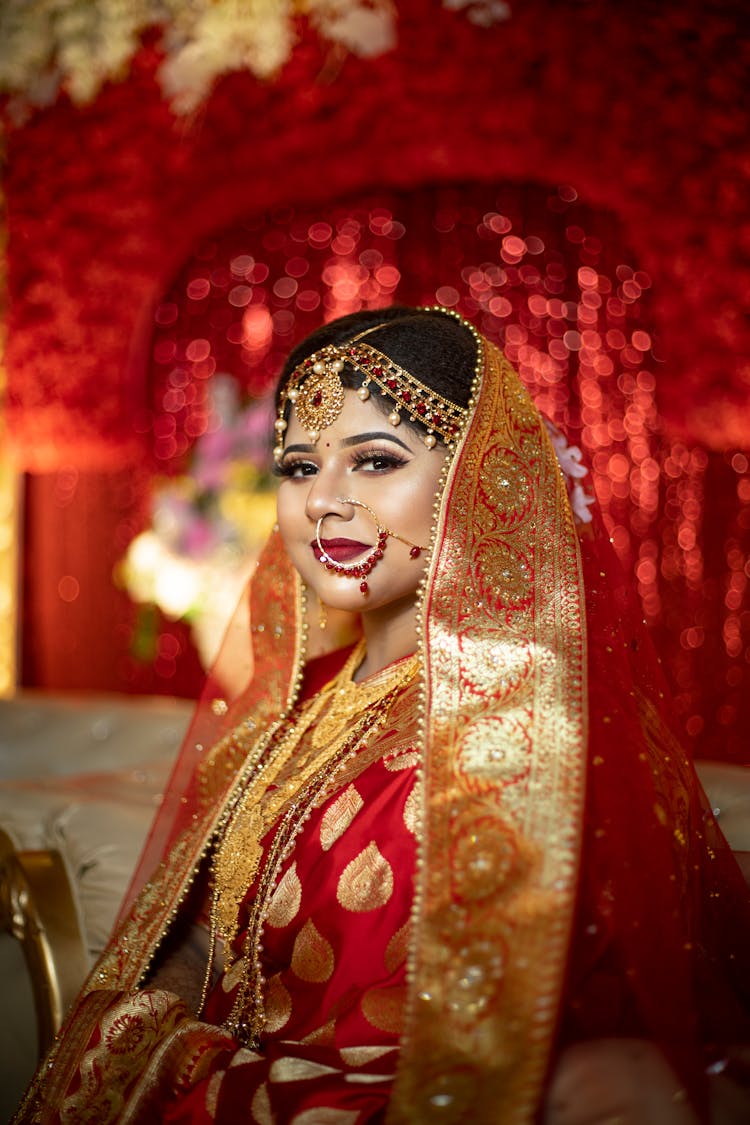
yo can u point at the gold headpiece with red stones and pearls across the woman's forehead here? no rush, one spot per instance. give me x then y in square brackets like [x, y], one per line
[317, 390]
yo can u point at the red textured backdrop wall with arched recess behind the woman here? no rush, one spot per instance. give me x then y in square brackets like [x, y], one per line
[630, 120]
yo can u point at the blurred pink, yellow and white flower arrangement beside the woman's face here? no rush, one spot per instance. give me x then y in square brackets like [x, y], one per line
[209, 524]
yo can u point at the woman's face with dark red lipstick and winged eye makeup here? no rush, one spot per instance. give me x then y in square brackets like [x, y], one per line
[360, 456]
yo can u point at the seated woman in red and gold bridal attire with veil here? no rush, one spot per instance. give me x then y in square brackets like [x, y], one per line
[458, 871]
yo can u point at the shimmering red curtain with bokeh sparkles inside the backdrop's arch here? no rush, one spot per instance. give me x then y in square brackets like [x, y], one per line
[550, 281]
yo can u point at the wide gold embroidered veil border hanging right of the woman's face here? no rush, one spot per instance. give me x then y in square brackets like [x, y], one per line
[504, 773]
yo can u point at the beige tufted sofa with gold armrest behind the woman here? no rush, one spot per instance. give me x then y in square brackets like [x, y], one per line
[79, 784]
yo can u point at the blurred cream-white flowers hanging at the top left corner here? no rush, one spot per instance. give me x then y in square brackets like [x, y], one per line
[78, 46]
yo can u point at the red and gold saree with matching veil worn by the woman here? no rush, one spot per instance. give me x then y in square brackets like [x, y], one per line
[526, 859]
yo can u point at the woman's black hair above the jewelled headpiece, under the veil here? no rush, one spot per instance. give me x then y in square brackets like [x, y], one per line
[433, 347]
